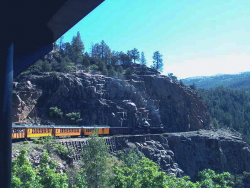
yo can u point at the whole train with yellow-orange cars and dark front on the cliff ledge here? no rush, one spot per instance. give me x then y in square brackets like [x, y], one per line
[37, 131]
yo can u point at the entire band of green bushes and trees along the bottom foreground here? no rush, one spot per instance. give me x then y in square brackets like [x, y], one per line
[128, 169]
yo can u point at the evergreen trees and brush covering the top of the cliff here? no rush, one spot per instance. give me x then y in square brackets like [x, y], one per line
[67, 57]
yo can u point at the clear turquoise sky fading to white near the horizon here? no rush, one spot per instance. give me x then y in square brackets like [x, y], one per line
[196, 37]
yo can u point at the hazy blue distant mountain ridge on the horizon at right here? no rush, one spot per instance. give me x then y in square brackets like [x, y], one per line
[234, 81]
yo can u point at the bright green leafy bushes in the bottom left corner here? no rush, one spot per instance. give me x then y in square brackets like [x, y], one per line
[25, 175]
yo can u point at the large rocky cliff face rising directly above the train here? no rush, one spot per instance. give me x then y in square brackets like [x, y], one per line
[153, 100]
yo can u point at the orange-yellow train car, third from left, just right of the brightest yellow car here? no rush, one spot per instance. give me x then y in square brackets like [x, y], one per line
[66, 131]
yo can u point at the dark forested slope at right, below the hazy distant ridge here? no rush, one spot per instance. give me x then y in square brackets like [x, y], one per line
[229, 108]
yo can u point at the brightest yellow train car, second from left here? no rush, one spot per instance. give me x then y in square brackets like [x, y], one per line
[38, 131]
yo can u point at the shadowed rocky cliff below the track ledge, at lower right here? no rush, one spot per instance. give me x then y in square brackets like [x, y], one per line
[191, 152]
